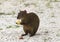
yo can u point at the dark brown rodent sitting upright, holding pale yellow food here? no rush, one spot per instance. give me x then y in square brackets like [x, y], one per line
[30, 22]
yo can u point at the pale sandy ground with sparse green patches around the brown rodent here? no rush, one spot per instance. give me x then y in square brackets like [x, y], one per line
[48, 12]
